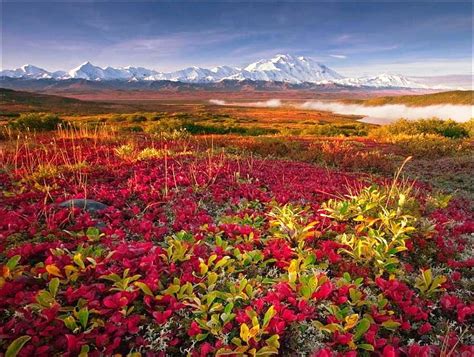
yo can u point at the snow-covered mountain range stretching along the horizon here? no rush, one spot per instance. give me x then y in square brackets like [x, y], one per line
[280, 68]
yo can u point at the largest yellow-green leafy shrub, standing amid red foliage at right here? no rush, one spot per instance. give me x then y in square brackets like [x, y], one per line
[381, 220]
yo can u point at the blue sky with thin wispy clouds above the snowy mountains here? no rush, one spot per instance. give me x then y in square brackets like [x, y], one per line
[353, 37]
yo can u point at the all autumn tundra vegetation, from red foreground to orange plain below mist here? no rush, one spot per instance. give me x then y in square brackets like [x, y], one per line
[205, 232]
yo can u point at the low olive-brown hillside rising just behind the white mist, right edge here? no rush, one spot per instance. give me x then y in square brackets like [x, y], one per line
[459, 97]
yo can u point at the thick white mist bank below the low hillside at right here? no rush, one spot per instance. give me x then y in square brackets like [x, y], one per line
[388, 113]
